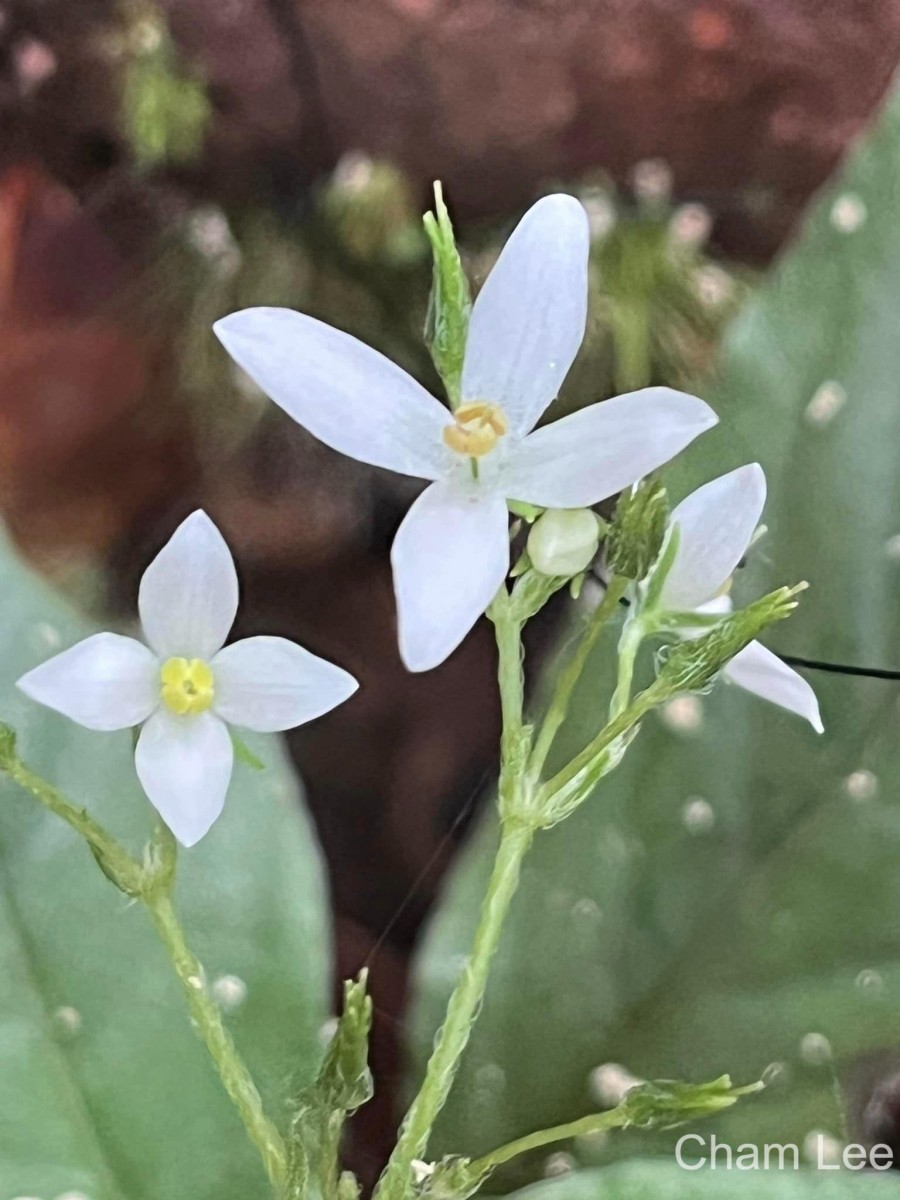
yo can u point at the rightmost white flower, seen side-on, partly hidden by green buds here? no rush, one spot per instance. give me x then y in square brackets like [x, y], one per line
[716, 527]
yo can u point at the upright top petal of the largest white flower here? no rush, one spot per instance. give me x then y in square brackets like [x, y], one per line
[529, 320]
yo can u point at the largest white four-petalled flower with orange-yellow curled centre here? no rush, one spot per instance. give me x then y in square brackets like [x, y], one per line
[452, 553]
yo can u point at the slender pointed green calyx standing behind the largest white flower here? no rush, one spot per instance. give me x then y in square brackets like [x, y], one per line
[451, 301]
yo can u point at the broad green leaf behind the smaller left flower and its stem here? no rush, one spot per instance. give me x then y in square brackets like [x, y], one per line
[105, 1089]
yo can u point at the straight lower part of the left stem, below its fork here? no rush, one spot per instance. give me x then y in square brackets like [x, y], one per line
[208, 1022]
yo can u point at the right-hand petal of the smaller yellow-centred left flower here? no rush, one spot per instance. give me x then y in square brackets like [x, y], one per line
[271, 685]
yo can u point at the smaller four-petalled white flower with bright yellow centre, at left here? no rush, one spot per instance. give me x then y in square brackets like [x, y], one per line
[185, 687]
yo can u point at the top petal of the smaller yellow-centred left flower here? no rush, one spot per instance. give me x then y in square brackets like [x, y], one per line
[189, 595]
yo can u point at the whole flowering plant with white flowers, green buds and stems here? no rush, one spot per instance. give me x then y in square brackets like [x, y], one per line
[502, 362]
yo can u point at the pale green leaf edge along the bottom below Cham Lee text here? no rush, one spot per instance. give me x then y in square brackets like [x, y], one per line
[653, 1180]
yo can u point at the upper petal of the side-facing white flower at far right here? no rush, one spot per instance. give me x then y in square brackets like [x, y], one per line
[716, 526]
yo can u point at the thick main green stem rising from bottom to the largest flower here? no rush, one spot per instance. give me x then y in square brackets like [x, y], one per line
[515, 842]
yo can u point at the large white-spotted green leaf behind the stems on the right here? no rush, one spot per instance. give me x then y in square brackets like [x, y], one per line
[734, 887]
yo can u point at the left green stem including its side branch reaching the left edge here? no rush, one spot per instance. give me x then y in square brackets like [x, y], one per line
[151, 884]
